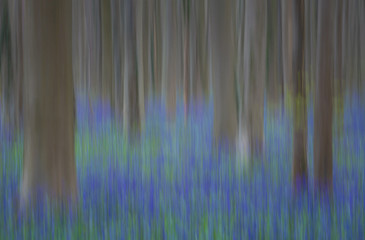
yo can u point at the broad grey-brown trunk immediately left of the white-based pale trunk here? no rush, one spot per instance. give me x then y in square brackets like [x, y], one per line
[225, 112]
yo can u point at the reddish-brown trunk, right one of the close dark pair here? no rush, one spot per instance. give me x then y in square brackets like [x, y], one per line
[322, 146]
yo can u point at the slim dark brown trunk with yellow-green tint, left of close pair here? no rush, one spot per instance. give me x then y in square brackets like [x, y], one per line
[299, 106]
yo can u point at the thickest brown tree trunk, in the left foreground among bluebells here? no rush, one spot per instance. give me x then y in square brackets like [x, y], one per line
[49, 166]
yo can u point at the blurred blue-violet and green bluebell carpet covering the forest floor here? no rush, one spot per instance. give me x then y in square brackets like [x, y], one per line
[171, 184]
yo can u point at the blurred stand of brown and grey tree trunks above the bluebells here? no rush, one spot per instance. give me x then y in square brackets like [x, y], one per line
[247, 58]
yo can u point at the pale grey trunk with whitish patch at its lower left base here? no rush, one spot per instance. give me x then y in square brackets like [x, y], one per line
[254, 70]
